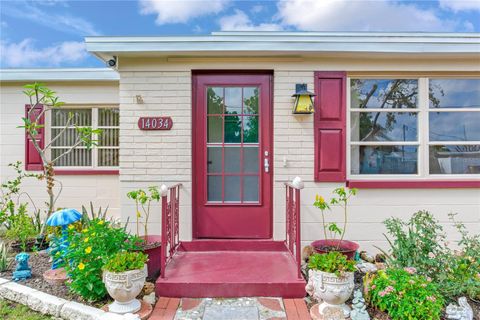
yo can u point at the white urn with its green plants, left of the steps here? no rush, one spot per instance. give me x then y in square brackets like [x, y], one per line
[124, 276]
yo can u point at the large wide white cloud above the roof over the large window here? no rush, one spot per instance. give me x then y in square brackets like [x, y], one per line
[373, 15]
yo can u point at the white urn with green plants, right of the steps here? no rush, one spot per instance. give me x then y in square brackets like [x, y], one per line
[330, 280]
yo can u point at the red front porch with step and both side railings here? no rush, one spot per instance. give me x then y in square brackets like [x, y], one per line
[230, 267]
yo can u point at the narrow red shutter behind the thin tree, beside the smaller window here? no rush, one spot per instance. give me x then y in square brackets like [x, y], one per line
[32, 158]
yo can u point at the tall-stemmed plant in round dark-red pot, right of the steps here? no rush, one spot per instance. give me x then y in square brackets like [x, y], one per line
[334, 241]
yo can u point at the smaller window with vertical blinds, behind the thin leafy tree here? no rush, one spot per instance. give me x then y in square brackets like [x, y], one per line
[104, 156]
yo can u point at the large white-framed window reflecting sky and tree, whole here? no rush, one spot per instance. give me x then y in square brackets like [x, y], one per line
[416, 127]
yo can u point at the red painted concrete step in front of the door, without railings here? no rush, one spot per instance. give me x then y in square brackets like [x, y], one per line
[248, 269]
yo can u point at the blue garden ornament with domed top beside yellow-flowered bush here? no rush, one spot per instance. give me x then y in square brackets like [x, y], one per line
[61, 218]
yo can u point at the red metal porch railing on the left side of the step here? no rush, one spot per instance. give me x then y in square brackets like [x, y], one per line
[170, 224]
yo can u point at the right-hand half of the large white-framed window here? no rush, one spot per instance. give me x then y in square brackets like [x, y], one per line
[454, 126]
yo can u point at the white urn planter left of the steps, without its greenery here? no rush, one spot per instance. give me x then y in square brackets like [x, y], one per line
[124, 287]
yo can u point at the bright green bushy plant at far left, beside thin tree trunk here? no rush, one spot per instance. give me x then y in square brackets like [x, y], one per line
[21, 227]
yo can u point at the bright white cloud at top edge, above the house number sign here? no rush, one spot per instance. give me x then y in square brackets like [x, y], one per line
[180, 11]
